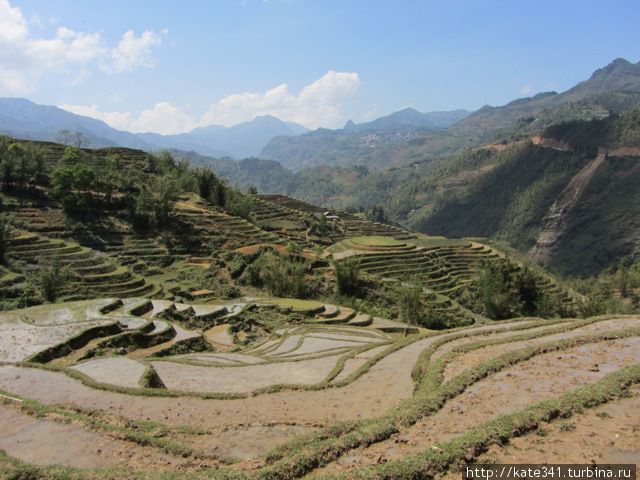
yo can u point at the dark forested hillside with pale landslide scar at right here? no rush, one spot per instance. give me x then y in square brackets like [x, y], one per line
[581, 184]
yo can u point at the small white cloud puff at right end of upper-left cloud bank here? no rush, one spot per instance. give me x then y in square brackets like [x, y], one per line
[133, 52]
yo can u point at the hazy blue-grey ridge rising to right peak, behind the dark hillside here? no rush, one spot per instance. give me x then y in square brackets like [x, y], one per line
[348, 147]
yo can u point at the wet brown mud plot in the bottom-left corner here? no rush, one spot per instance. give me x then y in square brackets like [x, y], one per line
[45, 442]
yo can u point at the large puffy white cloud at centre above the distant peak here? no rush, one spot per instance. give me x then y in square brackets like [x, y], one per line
[318, 104]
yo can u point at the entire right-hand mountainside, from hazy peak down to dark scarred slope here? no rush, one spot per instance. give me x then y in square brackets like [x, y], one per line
[525, 173]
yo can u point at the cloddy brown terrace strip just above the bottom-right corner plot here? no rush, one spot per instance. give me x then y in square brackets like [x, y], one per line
[543, 377]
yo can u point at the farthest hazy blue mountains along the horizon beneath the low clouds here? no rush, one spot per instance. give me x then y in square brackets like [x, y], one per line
[21, 118]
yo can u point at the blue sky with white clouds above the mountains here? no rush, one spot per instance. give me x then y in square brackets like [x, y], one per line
[170, 66]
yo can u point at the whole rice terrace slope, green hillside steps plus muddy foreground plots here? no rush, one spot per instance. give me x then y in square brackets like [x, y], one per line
[180, 367]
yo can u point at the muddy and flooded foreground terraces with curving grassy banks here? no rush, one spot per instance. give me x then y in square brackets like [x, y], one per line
[319, 398]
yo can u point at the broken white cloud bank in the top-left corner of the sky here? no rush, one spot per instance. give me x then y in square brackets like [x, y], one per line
[24, 60]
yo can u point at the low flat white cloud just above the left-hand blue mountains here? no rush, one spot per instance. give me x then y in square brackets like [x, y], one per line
[163, 118]
